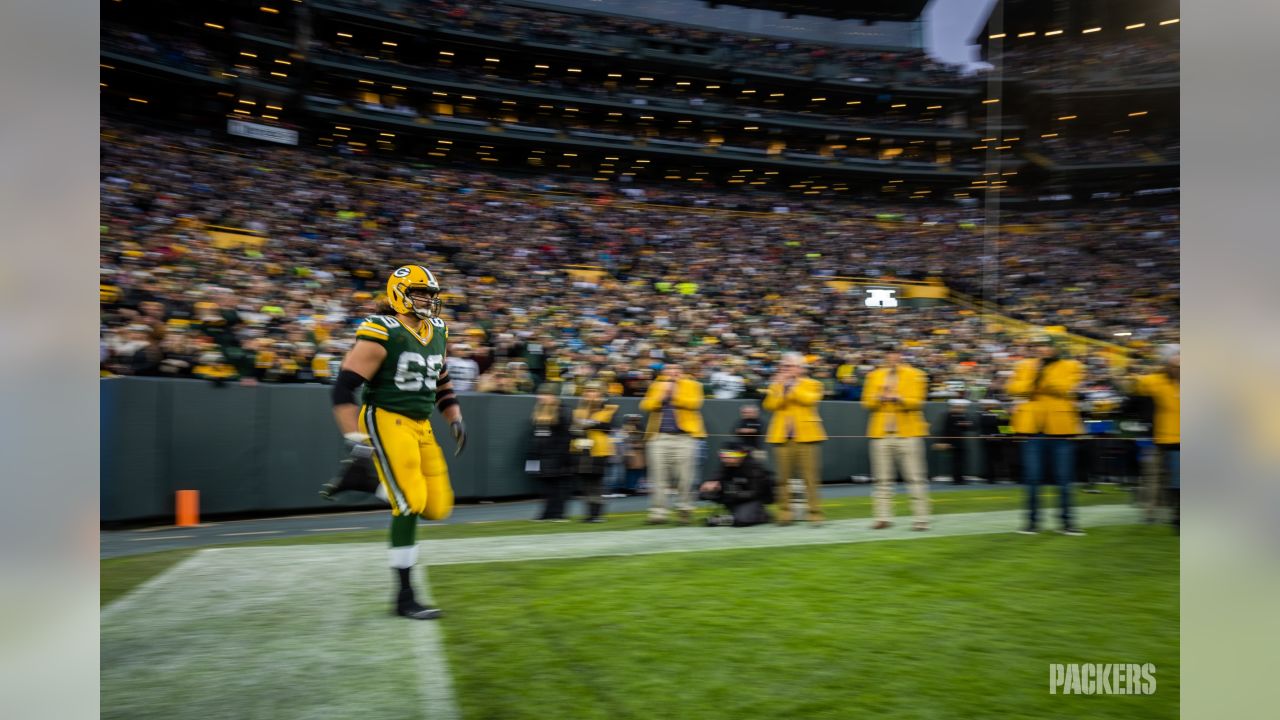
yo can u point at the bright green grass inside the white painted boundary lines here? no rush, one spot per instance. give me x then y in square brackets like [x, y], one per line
[962, 627]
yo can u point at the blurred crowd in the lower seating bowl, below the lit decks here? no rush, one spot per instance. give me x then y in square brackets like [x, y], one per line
[725, 293]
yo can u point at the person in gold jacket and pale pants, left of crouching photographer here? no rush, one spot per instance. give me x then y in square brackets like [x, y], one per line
[674, 404]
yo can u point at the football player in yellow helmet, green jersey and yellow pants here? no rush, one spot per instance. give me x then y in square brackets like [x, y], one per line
[400, 359]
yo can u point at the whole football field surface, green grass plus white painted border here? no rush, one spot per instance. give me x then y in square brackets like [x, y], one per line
[932, 627]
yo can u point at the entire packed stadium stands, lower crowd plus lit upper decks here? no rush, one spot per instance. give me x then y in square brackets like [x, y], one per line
[601, 194]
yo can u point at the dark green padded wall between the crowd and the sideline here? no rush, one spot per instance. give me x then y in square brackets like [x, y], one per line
[268, 449]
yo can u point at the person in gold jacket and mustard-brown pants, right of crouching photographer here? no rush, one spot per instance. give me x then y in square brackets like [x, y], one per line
[796, 434]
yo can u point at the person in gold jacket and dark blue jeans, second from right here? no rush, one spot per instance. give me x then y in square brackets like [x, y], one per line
[1049, 420]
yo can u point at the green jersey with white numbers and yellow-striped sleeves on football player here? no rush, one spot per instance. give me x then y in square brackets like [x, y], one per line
[406, 381]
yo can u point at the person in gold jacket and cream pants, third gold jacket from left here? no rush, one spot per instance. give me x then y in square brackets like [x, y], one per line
[895, 395]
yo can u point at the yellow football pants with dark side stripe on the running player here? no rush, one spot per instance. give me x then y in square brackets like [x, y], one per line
[410, 464]
